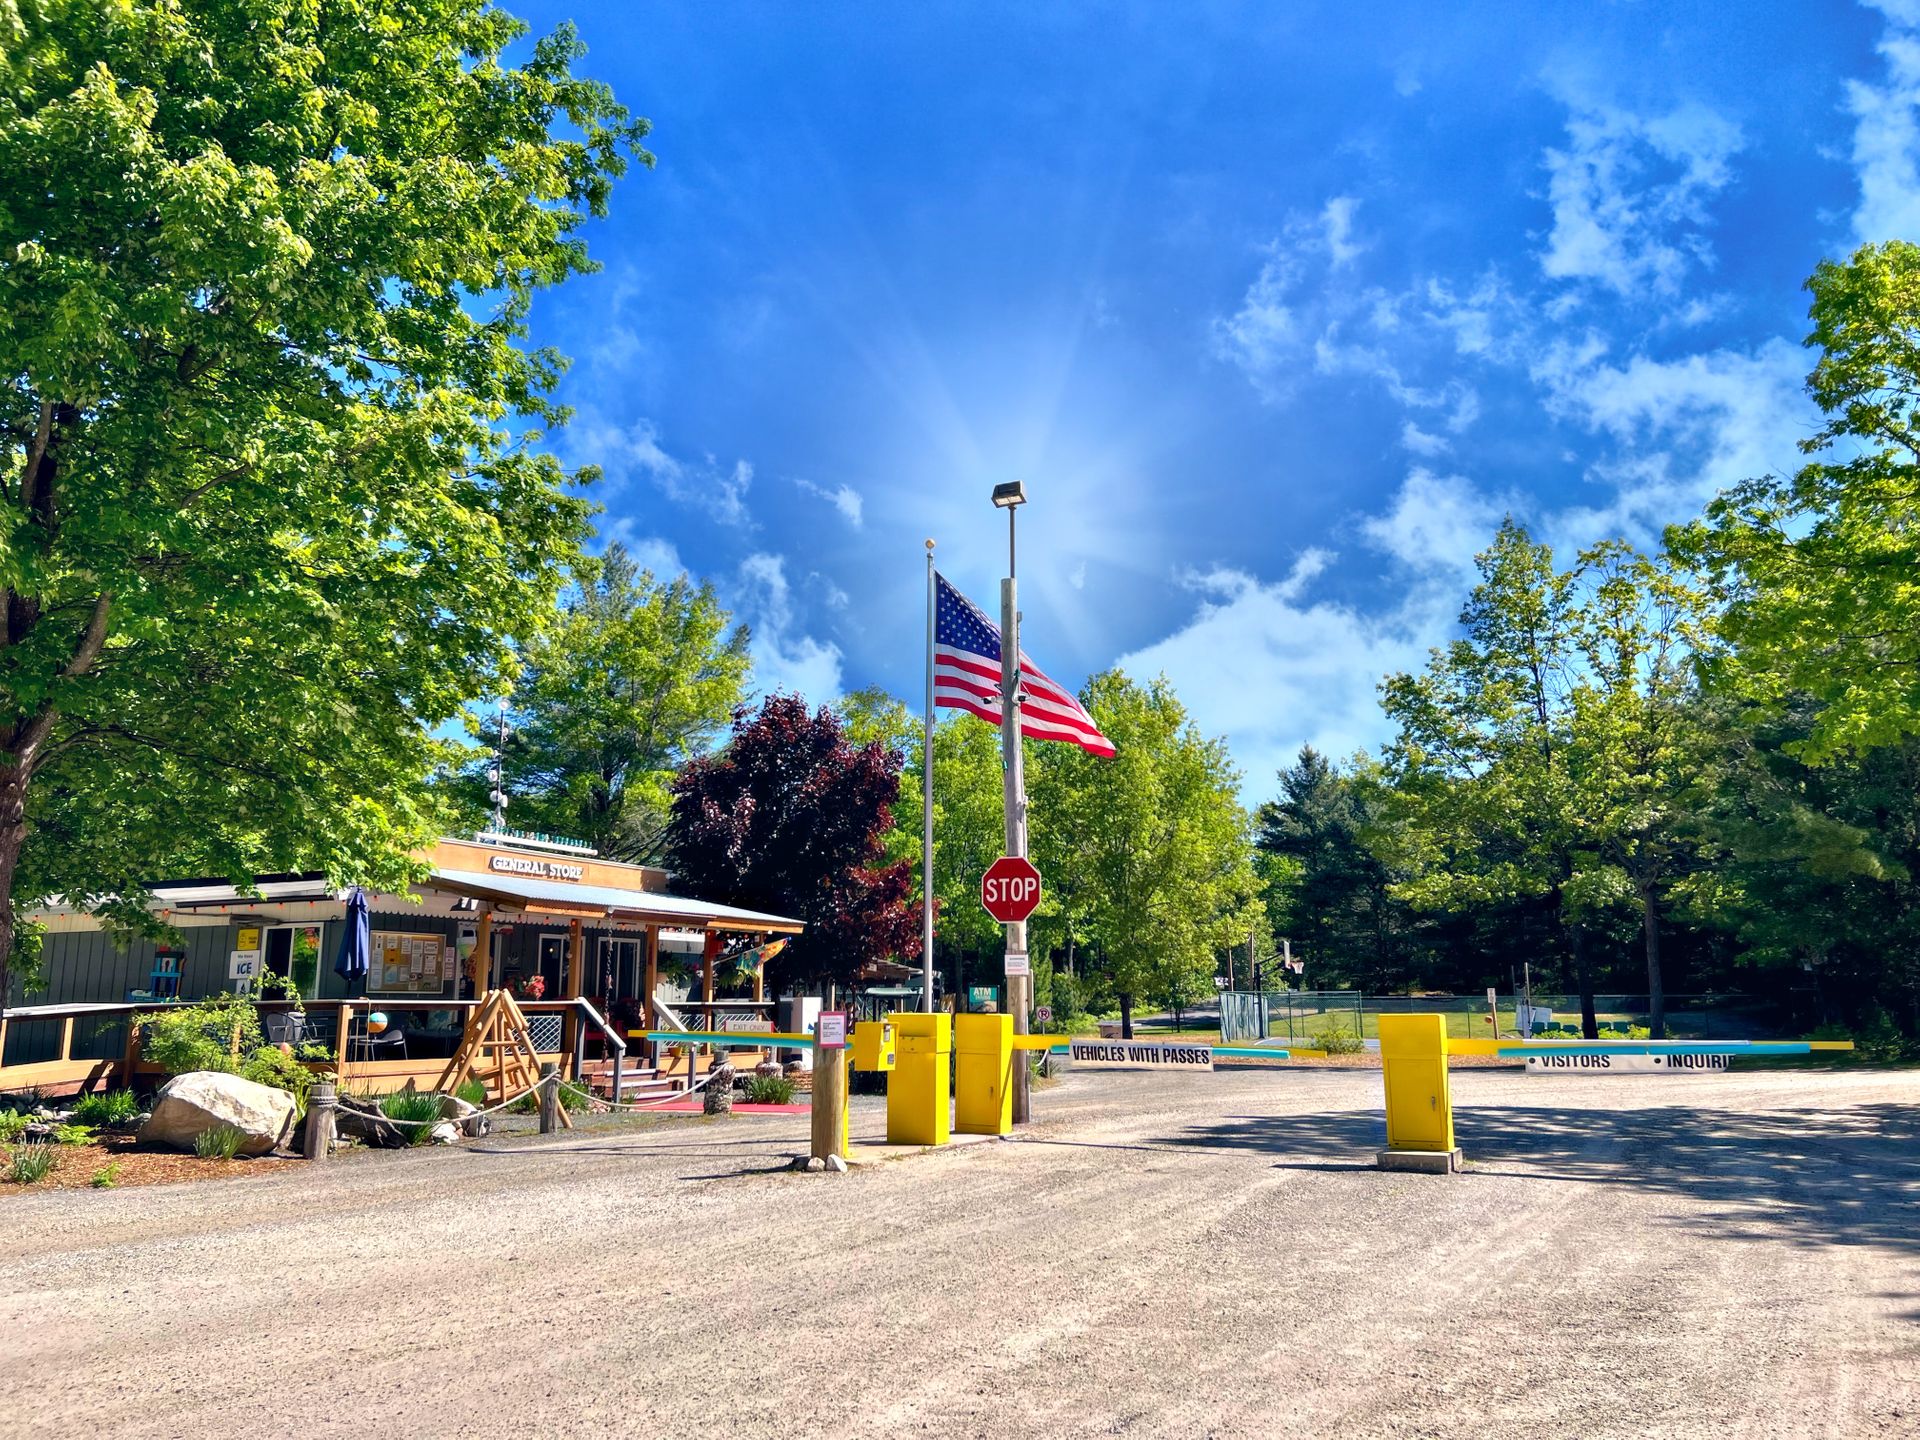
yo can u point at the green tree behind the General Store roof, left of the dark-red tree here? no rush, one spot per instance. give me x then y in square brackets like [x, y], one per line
[633, 681]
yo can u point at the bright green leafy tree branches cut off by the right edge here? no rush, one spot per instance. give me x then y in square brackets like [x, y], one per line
[1817, 571]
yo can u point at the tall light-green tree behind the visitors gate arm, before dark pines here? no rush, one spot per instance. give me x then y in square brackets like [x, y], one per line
[1554, 750]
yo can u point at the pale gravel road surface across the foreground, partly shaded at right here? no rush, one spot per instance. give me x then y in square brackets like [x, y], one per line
[1164, 1255]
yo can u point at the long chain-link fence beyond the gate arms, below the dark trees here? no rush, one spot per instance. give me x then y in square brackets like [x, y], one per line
[1307, 1015]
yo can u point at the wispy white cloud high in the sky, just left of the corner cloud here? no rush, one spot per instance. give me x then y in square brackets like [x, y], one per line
[1629, 197]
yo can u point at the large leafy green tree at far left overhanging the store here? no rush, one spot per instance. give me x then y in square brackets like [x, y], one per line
[272, 498]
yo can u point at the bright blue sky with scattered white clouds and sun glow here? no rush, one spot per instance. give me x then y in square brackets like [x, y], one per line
[1276, 310]
